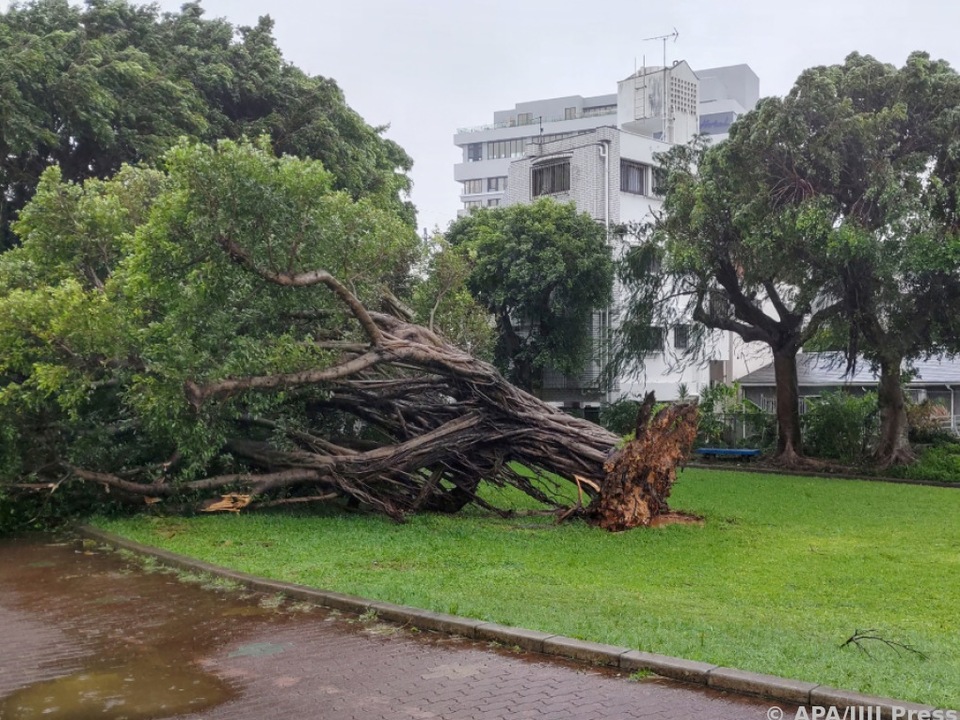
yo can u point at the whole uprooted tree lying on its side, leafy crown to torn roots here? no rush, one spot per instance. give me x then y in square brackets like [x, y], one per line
[219, 354]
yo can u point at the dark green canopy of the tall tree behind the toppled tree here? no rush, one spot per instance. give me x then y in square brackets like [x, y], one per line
[90, 88]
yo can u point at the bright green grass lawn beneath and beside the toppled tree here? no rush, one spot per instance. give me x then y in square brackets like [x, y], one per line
[782, 573]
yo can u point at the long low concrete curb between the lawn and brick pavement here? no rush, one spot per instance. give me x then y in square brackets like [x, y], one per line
[719, 678]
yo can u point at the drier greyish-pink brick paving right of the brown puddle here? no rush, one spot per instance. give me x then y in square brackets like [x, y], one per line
[325, 672]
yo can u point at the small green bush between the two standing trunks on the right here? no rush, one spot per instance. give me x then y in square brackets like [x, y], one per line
[841, 426]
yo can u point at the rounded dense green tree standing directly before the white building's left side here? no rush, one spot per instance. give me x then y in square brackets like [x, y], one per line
[541, 270]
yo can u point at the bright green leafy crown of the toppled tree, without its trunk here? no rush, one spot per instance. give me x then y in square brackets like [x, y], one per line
[121, 292]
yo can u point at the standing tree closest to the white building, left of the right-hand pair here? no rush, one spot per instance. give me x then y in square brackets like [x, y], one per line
[722, 254]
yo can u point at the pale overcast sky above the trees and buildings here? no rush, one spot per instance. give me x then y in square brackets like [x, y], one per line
[427, 67]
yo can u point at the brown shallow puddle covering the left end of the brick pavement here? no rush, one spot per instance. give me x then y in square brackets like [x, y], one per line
[136, 642]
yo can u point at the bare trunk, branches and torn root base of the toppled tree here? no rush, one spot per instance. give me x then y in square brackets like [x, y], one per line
[449, 421]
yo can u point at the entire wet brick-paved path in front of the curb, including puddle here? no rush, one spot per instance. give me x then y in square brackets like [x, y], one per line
[86, 634]
